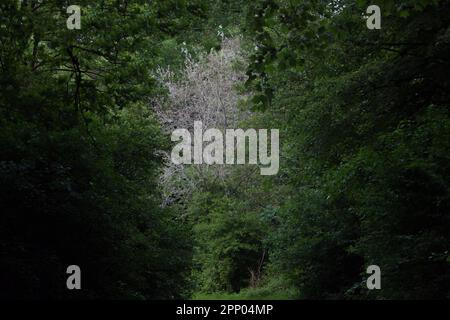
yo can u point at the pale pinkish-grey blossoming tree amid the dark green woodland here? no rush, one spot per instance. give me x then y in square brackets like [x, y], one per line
[205, 91]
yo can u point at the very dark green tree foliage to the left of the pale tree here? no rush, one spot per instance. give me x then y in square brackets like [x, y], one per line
[81, 154]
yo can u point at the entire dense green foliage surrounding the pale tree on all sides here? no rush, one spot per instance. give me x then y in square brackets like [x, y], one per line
[365, 144]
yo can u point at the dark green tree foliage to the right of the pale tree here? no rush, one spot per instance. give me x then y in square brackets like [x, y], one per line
[365, 123]
